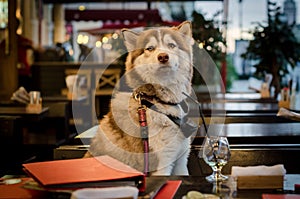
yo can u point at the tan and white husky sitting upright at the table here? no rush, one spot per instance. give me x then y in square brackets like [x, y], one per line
[159, 70]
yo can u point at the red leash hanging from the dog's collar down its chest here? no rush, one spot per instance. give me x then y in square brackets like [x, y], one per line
[144, 132]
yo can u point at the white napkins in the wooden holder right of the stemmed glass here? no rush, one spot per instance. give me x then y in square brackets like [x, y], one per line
[261, 170]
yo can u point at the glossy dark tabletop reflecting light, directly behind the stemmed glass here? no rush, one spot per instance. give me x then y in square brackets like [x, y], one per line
[255, 133]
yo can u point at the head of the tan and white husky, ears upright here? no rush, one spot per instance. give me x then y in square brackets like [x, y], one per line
[162, 57]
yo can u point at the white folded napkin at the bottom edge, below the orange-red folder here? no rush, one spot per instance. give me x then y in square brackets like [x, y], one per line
[109, 192]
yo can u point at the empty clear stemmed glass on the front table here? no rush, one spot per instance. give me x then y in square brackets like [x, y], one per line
[216, 153]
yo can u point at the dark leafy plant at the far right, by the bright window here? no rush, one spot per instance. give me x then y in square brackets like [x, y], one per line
[274, 47]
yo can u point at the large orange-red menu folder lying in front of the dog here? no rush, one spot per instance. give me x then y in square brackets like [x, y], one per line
[101, 171]
